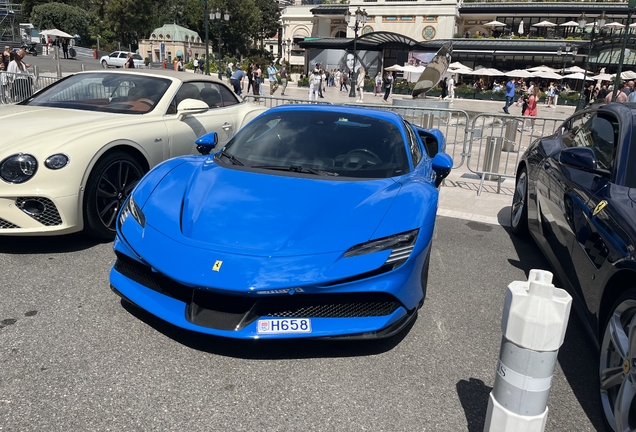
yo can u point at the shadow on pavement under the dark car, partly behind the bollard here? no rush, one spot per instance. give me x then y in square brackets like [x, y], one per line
[578, 355]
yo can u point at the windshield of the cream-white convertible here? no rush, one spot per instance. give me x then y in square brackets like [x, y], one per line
[105, 92]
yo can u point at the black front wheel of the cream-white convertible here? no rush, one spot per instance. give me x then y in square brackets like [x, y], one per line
[109, 184]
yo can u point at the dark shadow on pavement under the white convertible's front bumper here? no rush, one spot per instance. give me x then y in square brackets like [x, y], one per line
[46, 244]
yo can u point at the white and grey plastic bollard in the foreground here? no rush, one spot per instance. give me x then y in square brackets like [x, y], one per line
[533, 325]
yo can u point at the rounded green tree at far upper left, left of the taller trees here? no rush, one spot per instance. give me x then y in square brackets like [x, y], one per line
[71, 19]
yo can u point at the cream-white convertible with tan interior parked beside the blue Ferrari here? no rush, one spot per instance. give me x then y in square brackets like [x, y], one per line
[71, 154]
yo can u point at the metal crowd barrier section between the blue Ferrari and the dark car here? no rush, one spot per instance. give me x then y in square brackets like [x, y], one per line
[496, 142]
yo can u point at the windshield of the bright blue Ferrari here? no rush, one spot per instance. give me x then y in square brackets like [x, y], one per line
[325, 143]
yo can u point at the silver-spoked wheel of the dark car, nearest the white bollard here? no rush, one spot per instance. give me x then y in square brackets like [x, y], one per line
[617, 369]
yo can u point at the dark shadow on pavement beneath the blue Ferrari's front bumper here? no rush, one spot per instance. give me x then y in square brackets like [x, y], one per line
[273, 349]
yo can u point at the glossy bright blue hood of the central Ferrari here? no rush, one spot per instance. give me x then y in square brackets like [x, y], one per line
[270, 214]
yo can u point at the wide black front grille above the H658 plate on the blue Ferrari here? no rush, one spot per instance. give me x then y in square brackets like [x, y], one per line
[232, 312]
